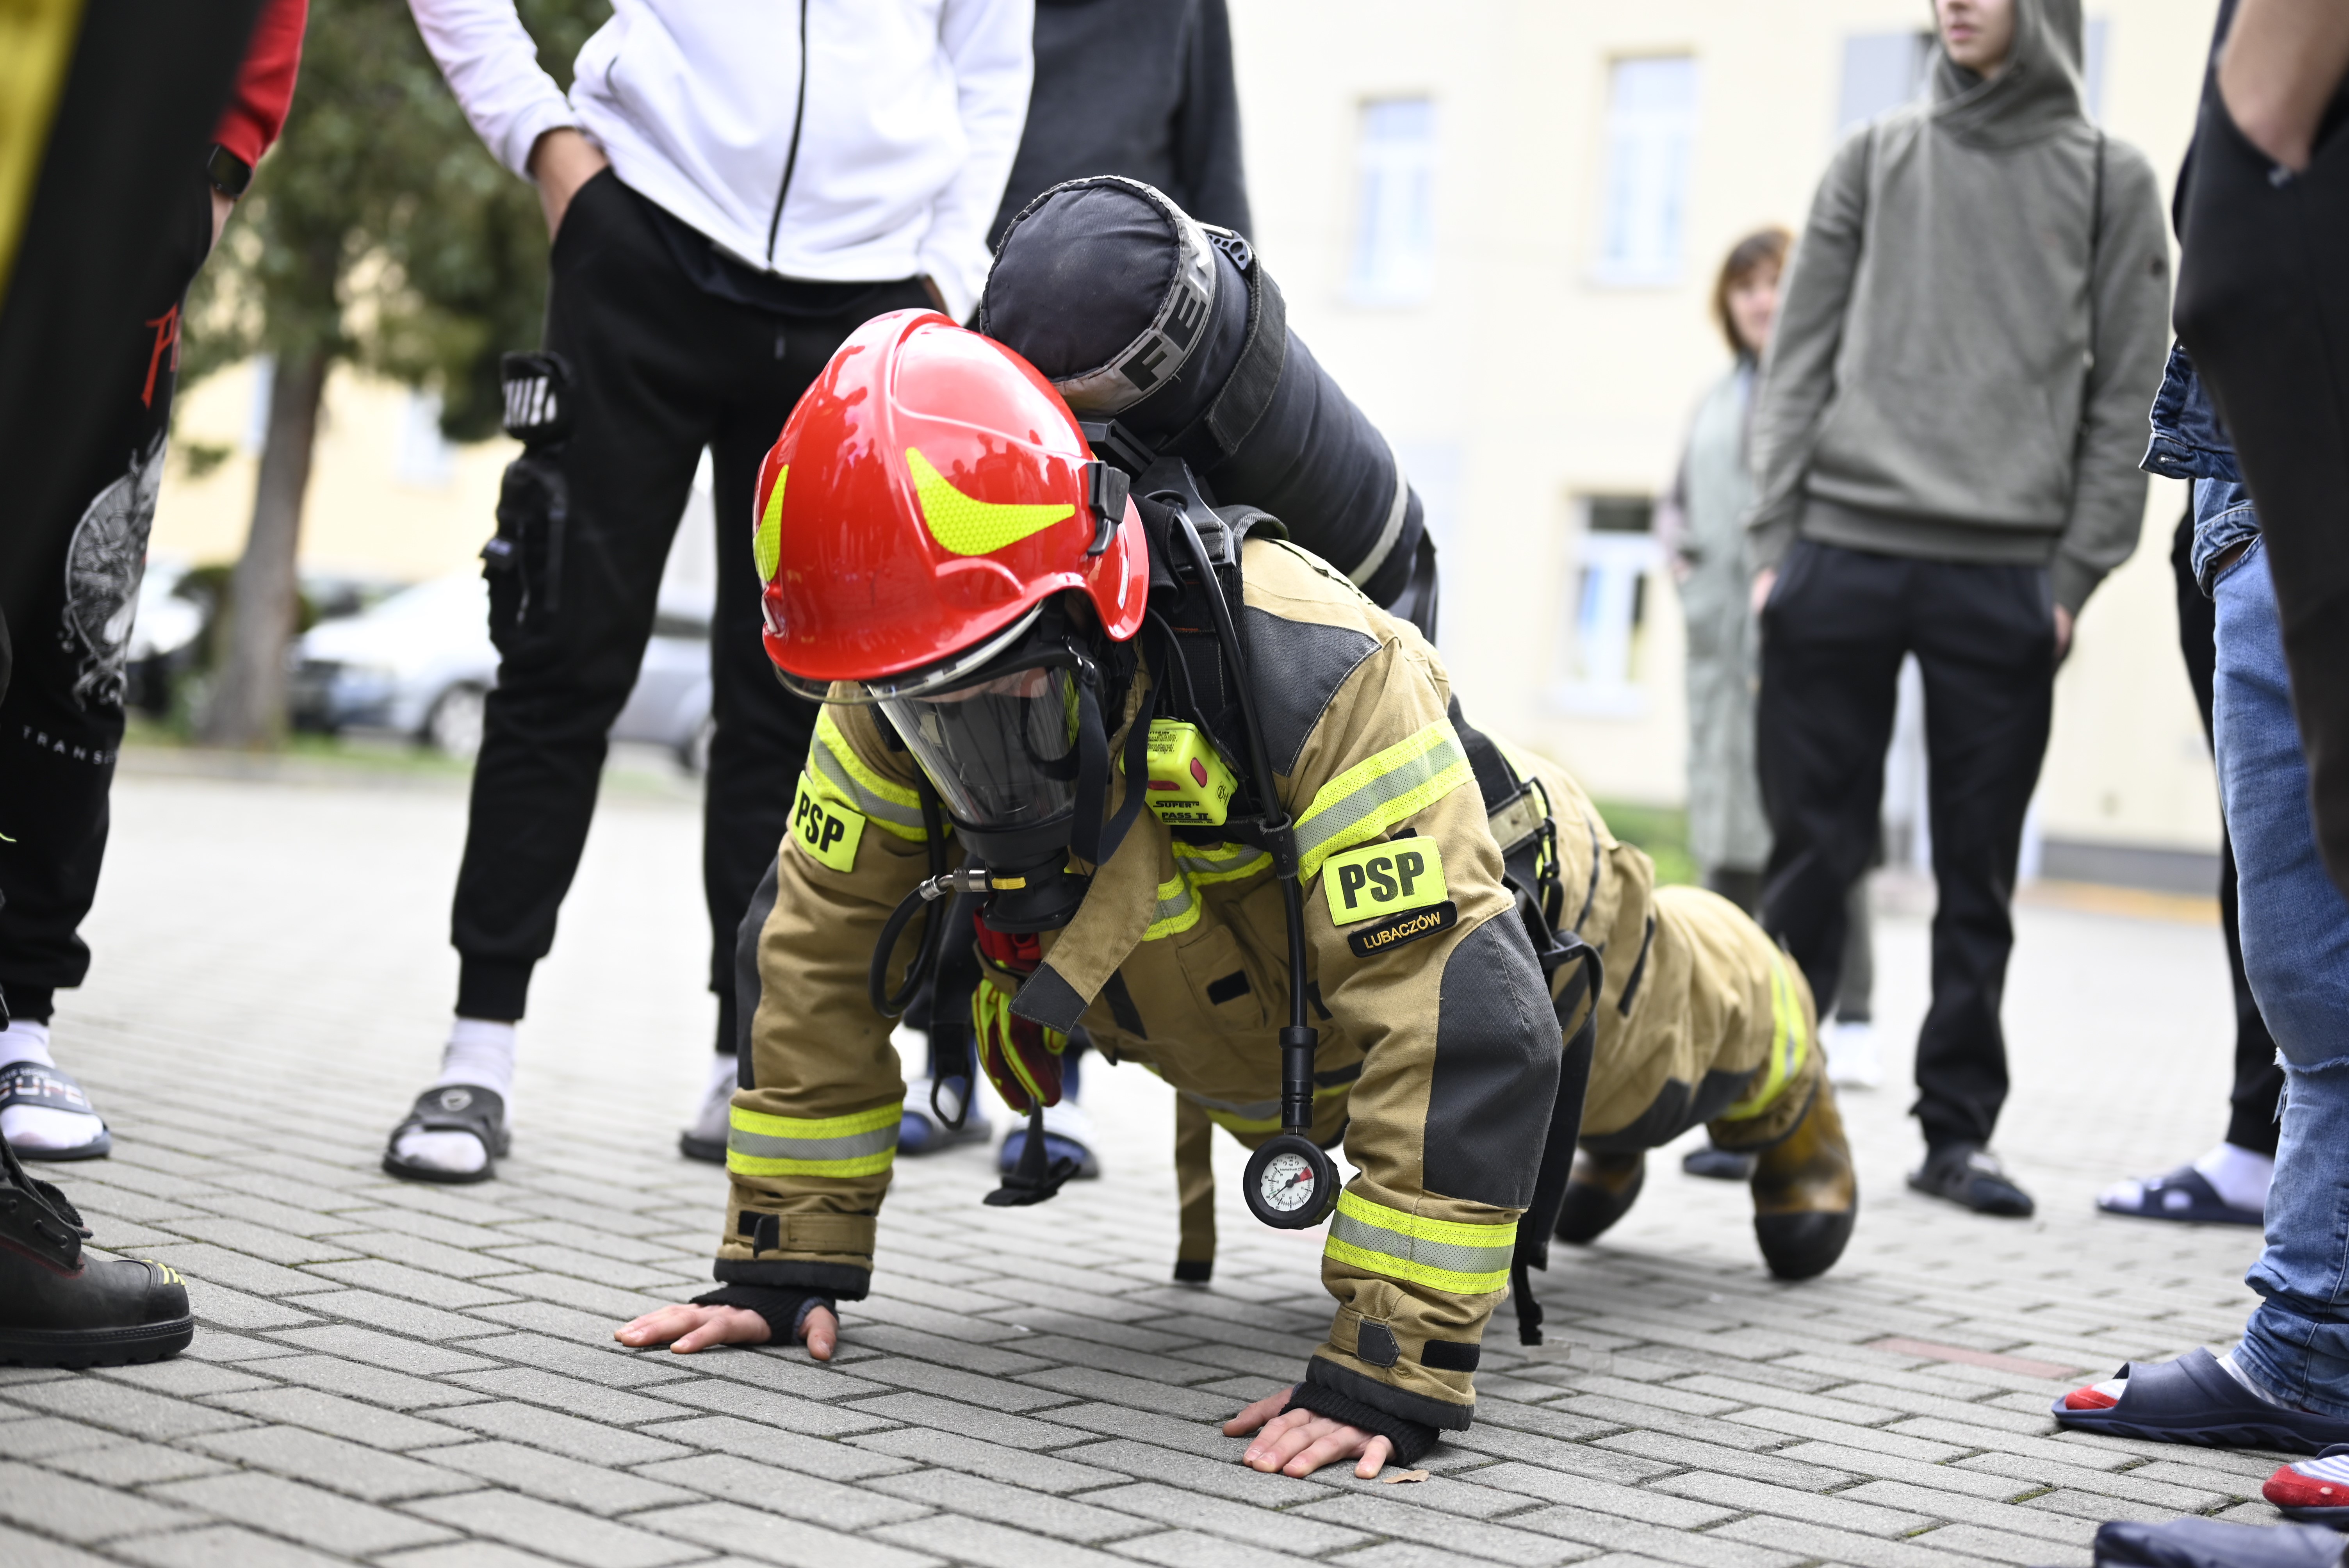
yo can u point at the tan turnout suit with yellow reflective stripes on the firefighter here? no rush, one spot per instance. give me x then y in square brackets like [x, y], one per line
[1439, 1041]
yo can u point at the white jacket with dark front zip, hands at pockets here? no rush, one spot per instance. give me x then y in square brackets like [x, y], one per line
[823, 140]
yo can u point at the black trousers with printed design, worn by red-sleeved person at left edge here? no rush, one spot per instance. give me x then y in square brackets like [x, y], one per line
[62, 715]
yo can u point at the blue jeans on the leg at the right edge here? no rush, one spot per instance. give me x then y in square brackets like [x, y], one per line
[2296, 952]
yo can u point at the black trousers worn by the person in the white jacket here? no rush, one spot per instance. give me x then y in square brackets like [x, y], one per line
[659, 370]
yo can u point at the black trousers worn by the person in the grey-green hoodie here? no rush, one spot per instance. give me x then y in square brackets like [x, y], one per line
[1833, 637]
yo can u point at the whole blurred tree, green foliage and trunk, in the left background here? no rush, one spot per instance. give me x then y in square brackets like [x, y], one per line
[384, 234]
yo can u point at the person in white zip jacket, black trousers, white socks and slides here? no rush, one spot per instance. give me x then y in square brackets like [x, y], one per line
[732, 189]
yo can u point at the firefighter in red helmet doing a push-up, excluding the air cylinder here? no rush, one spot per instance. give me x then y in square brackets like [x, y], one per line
[1192, 792]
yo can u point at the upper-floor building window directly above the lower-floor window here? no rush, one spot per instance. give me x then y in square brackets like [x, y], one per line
[1645, 177]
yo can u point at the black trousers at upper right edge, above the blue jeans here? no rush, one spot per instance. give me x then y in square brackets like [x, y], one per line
[2263, 306]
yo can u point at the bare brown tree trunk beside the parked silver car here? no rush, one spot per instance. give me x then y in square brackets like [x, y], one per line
[250, 701]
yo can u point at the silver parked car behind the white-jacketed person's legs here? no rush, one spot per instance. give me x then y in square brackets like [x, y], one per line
[422, 665]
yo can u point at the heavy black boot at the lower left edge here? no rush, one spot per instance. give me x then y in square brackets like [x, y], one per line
[60, 1309]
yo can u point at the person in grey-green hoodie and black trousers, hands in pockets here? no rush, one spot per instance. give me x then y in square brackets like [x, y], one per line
[1946, 466]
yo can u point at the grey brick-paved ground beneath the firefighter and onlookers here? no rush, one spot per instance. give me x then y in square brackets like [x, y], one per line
[426, 1379]
